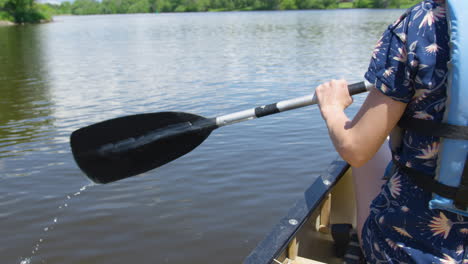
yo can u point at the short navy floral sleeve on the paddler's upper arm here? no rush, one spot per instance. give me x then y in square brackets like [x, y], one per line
[389, 69]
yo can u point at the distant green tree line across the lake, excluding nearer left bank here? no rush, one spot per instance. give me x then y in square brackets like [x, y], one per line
[89, 7]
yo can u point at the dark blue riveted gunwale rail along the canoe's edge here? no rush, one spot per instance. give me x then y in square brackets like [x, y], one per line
[284, 232]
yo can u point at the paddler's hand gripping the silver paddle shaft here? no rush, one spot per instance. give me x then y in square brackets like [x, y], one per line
[333, 96]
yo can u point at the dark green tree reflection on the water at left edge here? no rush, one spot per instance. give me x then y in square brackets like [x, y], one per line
[25, 103]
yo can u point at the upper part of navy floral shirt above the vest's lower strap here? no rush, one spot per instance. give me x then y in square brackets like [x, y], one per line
[409, 64]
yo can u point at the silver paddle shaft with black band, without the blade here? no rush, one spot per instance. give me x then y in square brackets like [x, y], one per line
[281, 106]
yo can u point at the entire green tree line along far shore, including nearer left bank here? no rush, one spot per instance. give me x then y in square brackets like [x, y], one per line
[28, 11]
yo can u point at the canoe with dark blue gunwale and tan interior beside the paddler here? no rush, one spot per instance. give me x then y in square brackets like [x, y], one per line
[304, 235]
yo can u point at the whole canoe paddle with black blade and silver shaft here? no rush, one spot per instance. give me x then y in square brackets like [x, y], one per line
[126, 146]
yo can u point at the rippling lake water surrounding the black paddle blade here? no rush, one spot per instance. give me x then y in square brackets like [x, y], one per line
[213, 204]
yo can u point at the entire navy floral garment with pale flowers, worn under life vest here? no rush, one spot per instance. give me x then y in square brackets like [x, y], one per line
[409, 64]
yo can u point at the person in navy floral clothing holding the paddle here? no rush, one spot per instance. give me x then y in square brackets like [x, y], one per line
[408, 70]
